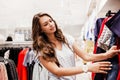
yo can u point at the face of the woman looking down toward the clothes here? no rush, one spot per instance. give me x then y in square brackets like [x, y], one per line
[47, 25]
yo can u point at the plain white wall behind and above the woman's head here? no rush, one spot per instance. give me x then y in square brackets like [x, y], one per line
[19, 13]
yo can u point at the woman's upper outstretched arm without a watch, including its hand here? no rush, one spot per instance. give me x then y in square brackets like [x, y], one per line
[95, 57]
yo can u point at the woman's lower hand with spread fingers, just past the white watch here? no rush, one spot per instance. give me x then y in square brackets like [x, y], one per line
[100, 67]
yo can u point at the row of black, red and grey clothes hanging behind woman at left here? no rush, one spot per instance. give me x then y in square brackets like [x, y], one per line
[25, 64]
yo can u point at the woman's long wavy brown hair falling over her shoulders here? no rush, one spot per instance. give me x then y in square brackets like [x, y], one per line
[41, 42]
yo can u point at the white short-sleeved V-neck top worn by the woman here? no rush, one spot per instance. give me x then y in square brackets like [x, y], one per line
[66, 59]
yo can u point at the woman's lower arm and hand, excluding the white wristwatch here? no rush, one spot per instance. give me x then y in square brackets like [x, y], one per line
[98, 67]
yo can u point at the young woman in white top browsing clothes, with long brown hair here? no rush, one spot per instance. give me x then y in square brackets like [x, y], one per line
[56, 51]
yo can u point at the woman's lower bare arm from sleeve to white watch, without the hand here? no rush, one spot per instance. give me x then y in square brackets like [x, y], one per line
[59, 71]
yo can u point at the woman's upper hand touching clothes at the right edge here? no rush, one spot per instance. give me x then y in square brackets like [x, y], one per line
[112, 52]
